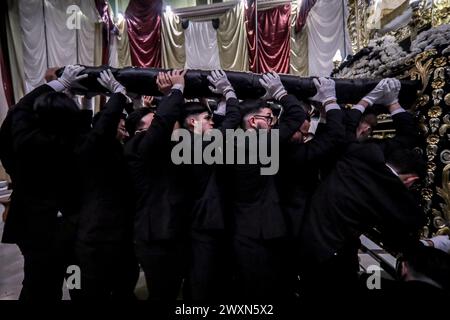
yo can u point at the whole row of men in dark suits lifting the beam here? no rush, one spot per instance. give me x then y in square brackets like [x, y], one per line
[83, 196]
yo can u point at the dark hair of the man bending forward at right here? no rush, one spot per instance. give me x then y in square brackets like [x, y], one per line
[407, 162]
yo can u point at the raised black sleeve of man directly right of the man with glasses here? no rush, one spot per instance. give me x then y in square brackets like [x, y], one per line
[316, 149]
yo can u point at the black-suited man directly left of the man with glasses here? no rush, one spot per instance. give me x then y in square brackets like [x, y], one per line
[208, 269]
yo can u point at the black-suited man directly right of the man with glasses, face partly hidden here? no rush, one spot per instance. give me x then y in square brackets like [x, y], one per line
[299, 164]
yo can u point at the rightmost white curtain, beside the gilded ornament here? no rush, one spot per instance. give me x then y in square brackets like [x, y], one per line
[327, 32]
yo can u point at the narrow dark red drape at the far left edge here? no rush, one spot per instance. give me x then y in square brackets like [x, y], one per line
[4, 58]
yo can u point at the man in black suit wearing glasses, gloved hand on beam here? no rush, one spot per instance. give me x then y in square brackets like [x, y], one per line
[258, 226]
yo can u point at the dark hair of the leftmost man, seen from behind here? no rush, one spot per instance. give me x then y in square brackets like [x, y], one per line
[57, 113]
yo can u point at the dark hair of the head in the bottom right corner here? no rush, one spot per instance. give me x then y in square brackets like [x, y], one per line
[429, 261]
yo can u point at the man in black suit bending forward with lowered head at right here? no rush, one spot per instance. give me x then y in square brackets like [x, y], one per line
[364, 191]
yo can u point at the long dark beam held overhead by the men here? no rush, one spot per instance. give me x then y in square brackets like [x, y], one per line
[142, 81]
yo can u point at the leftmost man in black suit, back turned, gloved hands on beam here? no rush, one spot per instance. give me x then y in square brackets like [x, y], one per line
[44, 130]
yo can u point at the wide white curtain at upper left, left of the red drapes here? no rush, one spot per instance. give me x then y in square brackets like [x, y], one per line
[47, 41]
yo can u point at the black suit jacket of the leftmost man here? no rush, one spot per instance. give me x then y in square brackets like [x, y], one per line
[44, 172]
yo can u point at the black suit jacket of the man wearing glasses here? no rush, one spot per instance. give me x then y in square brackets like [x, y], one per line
[253, 198]
